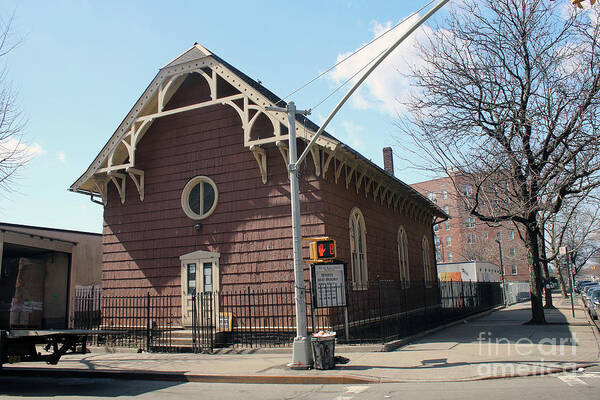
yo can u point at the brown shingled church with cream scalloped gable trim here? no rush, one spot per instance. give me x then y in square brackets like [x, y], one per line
[196, 194]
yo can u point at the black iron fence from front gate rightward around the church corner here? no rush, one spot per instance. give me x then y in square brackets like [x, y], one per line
[378, 312]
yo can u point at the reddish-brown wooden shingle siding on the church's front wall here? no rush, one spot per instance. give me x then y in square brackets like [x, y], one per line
[250, 228]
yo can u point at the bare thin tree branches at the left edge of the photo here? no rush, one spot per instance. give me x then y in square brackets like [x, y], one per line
[14, 153]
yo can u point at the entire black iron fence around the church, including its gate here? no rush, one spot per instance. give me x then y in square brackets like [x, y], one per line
[376, 312]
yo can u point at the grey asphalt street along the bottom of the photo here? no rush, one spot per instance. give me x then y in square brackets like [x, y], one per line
[584, 385]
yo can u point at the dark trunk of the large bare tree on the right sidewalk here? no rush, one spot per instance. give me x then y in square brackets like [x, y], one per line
[535, 272]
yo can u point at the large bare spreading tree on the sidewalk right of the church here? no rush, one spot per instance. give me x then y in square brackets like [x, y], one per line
[507, 99]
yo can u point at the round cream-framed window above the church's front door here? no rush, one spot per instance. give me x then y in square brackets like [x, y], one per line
[199, 197]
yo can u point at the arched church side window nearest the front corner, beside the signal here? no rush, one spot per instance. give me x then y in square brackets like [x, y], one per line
[358, 249]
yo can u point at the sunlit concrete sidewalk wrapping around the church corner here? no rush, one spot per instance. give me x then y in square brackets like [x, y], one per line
[493, 346]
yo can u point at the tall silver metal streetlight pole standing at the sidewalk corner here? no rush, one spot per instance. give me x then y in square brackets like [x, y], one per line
[302, 354]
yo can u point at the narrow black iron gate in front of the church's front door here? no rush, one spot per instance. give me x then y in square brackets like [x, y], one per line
[203, 322]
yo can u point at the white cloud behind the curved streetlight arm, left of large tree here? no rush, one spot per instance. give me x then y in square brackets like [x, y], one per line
[389, 83]
